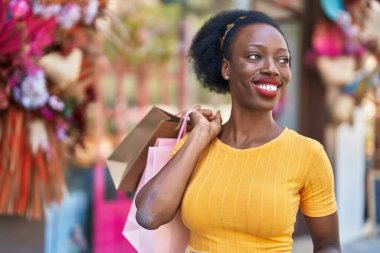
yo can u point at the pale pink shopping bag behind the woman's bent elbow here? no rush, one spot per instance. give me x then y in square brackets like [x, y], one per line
[171, 237]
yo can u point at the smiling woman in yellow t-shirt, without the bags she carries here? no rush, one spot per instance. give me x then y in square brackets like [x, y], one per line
[239, 185]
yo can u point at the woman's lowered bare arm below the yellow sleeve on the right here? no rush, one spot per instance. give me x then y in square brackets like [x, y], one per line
[324, 233]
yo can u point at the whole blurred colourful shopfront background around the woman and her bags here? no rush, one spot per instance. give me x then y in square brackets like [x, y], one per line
[77, 75]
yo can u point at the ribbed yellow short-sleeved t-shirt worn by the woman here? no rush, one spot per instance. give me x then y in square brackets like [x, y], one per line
[246, 200]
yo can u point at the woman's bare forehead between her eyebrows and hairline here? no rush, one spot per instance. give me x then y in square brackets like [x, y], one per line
[260, 34]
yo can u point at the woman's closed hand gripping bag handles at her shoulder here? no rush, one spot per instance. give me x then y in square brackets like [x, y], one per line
[206, 123]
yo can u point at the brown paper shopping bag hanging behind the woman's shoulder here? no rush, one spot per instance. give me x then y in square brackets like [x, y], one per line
[127, 162]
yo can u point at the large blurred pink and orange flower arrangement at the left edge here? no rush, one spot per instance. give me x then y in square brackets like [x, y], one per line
[46, 82]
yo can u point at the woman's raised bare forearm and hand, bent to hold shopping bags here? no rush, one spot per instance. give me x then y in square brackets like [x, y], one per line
[157, 202]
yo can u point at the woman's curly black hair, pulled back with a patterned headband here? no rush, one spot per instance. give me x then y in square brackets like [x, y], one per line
[206, 50]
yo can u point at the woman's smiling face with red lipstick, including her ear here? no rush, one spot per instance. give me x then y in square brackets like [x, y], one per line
[258, 69]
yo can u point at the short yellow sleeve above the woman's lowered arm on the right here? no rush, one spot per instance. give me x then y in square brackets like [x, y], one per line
[318, 194]
